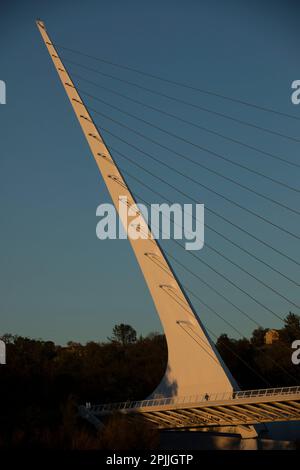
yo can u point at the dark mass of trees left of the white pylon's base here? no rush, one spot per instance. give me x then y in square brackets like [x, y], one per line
[42, 385]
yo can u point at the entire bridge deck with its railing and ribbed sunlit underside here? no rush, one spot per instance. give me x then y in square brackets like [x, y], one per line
[234, 409]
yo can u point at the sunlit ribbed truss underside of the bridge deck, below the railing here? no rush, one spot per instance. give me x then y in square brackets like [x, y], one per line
[236, 415]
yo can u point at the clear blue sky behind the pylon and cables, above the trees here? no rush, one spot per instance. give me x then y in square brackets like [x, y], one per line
[57, 280]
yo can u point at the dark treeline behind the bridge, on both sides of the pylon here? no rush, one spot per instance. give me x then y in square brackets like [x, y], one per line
[43, 383]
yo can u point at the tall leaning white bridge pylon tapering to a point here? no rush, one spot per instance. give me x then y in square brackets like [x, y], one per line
[194, 365]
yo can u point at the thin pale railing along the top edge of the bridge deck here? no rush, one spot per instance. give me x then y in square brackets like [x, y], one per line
[203, 398]
